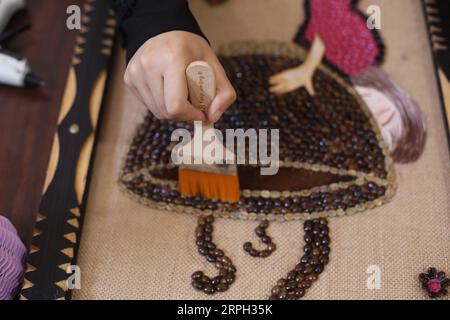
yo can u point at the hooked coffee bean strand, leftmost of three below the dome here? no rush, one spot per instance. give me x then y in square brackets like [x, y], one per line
[208, 249]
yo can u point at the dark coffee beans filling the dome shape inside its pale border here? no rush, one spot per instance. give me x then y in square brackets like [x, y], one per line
[329, 128]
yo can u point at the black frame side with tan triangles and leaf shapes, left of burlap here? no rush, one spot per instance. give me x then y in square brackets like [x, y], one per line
[57, 232]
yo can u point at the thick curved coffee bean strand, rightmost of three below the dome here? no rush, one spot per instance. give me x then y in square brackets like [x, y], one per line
[316, 256]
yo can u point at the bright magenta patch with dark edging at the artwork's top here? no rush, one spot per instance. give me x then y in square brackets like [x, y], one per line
[350, 45]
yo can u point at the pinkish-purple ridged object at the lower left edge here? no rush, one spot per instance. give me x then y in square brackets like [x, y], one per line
[12, 255]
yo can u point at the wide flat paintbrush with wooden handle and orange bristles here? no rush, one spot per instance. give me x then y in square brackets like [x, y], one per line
[208, 167]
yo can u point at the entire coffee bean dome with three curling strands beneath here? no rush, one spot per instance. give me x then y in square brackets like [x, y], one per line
[333, 162]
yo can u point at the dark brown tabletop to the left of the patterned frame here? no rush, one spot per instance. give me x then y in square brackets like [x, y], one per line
[28, 116]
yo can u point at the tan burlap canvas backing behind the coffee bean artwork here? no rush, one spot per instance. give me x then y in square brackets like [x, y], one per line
[129, 251]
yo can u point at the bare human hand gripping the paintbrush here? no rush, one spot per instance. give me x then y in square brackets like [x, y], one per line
[157, 76]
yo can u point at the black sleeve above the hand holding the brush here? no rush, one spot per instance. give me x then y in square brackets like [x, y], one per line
[141, 20]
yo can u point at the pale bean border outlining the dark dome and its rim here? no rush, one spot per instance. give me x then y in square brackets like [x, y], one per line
[291, 50]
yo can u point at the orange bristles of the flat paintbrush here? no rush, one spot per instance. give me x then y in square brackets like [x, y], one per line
[224, 187]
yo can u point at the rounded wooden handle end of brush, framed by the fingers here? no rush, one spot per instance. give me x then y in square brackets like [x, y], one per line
[201, 84]
